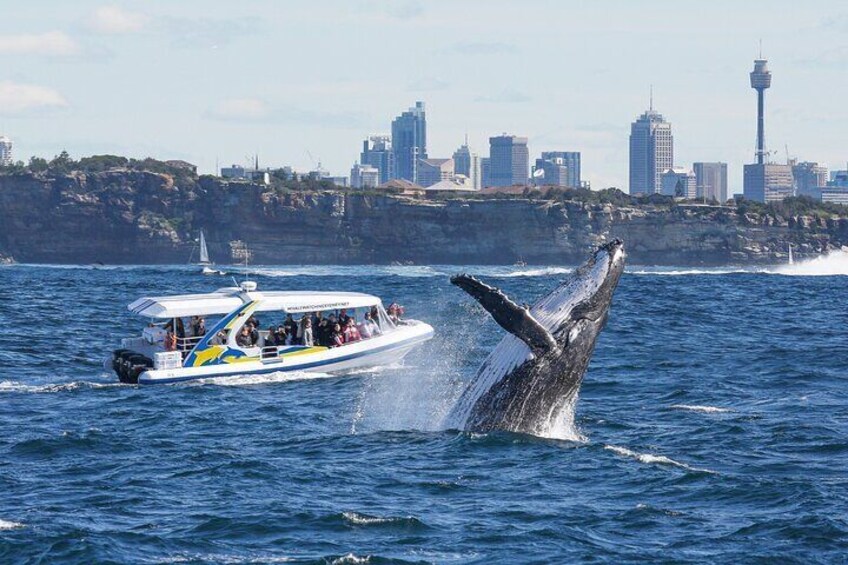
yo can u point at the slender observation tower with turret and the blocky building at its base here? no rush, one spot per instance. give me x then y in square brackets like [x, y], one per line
[765, 182]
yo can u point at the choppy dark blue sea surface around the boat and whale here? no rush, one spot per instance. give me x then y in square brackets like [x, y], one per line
[712, 426]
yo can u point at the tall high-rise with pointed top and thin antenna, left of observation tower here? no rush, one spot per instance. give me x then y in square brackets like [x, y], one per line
[651, 151]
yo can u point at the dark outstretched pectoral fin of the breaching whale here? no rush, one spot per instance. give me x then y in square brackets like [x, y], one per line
[510, 316]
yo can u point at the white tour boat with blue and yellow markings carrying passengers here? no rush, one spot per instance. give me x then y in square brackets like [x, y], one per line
[145, 359]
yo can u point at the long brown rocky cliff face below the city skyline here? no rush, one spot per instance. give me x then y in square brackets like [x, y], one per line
[141, 217]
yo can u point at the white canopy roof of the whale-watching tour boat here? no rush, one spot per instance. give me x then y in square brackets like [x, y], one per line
[225, 300]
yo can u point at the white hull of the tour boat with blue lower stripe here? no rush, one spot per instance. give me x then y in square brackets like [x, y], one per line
[380, 350]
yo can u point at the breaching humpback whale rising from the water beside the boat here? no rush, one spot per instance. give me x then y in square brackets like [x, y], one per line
[534, 374]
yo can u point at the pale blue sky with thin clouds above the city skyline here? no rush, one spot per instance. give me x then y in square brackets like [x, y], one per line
[207, 81]
